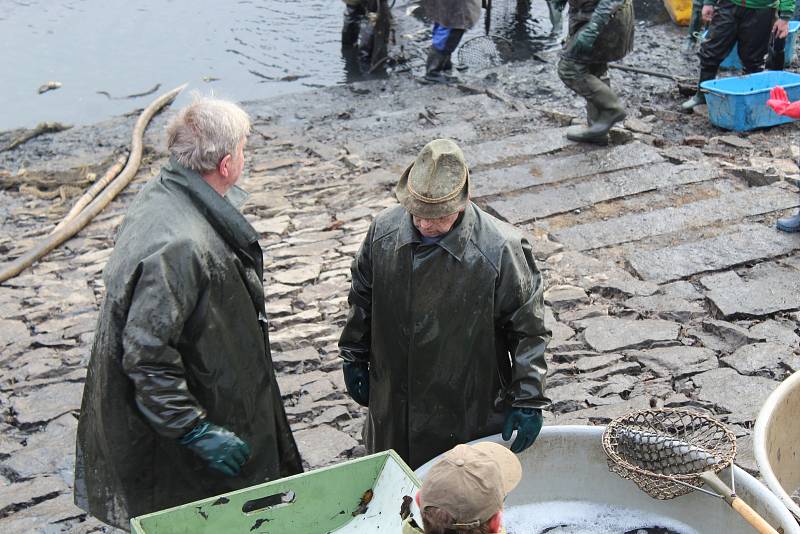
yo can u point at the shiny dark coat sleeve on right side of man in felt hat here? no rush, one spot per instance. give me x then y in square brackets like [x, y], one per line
[521, 319]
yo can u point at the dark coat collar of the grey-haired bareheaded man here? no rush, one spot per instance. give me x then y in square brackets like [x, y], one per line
[222, 215]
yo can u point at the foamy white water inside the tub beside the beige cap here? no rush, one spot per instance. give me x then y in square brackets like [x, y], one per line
[580, 517]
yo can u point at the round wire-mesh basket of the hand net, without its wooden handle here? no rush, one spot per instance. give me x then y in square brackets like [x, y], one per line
[665, 451]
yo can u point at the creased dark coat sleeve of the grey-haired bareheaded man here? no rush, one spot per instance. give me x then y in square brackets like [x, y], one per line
[167, 289]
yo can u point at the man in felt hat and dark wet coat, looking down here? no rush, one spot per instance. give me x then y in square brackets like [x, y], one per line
[445, 339]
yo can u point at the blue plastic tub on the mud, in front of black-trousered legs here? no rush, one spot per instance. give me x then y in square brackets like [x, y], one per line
[739, 103]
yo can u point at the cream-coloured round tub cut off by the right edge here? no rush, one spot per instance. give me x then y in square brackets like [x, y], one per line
[776, 441]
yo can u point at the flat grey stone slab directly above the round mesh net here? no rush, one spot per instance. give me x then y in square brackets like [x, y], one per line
[740, 396]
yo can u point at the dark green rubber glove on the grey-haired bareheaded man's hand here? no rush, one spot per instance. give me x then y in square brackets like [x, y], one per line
[220, 448]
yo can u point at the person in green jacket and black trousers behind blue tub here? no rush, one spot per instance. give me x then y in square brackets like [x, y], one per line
[750, 23]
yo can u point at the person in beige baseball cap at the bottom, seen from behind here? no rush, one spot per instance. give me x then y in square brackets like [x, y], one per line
[463, 493]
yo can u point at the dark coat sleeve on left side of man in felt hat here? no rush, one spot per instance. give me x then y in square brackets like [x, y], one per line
[354, 343]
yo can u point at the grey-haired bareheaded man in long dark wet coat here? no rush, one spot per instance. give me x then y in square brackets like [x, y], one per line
[181, 401]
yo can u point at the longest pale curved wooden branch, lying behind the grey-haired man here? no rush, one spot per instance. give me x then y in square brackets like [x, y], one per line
[97, 205]
